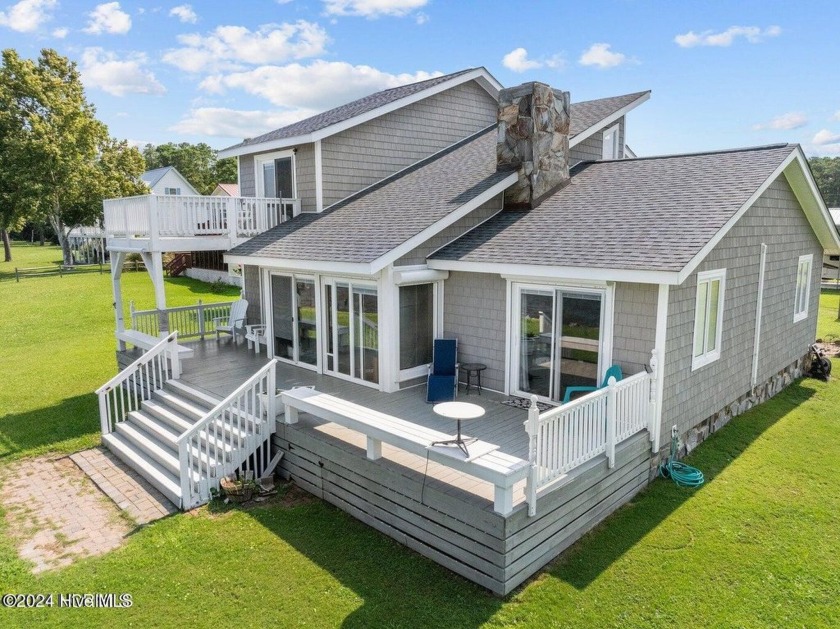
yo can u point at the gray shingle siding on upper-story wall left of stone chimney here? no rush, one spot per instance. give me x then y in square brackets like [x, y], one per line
[362, 155]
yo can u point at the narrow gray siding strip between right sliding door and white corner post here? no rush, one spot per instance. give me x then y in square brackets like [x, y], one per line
[634, 325]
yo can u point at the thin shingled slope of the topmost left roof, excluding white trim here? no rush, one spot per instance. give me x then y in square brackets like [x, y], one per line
[349, 110]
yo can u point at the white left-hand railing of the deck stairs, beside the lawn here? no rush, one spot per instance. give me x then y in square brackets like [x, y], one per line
[128, 389]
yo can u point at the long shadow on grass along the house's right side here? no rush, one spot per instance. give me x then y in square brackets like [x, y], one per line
[604, 545]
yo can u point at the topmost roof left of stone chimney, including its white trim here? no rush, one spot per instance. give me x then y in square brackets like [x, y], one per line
[358, 111]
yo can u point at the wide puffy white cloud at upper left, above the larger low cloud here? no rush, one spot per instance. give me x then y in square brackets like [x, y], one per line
[227, 47]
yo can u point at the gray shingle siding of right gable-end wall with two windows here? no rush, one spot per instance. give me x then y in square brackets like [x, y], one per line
[777, 220]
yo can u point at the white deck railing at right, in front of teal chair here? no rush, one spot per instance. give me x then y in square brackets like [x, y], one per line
[568, 436]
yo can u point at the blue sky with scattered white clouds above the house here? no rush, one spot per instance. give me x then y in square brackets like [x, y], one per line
[723, 74]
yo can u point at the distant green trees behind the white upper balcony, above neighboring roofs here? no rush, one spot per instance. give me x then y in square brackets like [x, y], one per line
[196, 162]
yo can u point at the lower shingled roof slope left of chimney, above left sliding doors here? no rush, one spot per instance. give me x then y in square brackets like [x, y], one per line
[371, 223]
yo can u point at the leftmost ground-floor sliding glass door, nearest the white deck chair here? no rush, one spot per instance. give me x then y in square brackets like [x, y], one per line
[294, 319]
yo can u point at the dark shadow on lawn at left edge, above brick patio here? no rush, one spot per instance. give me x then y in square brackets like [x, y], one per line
[73, 420]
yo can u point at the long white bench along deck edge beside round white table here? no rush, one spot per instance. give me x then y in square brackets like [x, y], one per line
[503, 470]
